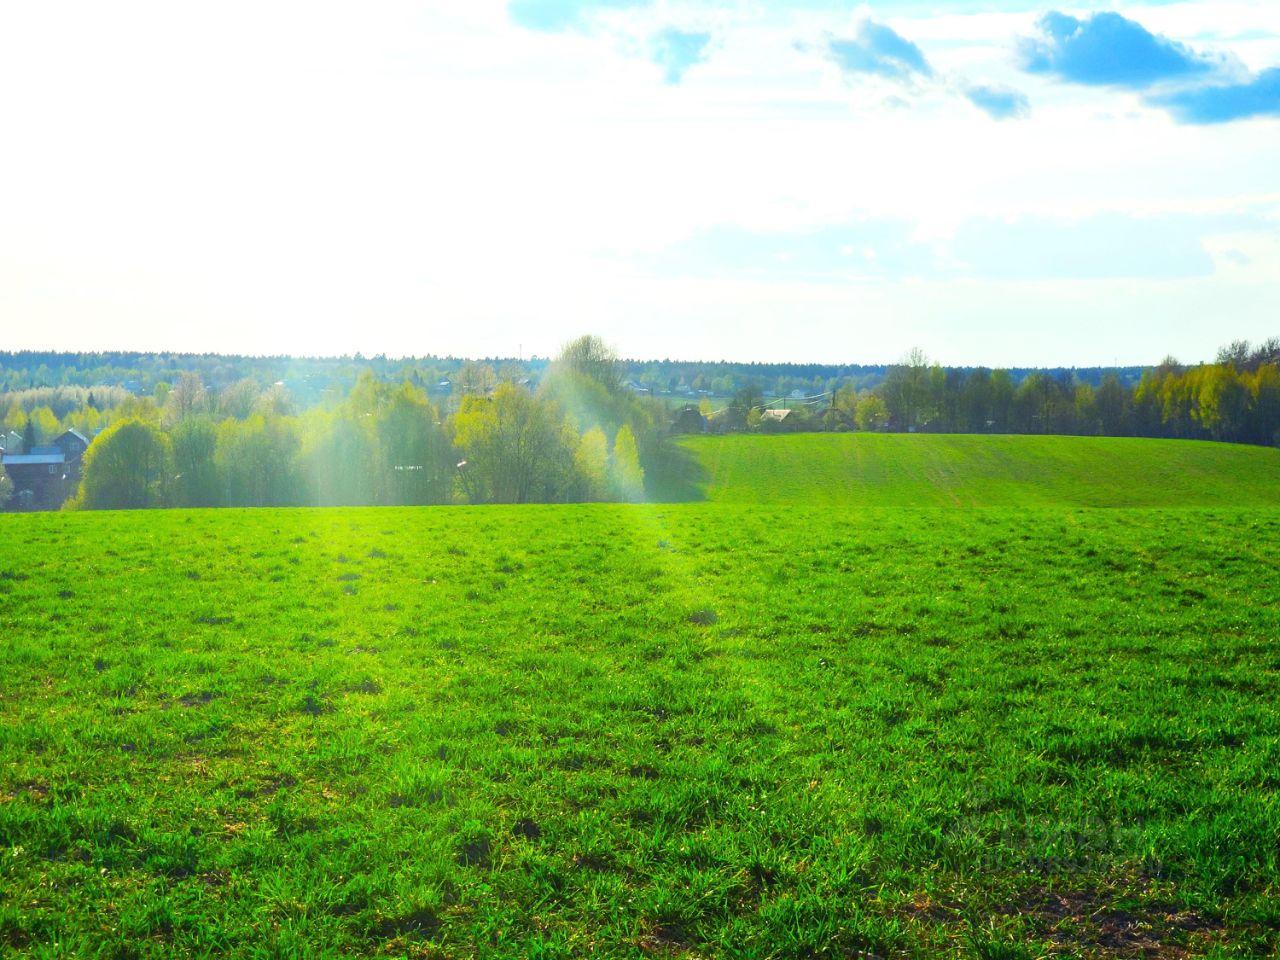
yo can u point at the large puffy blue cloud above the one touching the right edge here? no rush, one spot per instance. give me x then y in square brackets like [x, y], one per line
[1109, 51]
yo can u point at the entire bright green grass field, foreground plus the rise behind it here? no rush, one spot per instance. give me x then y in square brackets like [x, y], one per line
[673, 730]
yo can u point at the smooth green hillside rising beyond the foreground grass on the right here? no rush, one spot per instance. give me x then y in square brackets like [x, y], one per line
[922, 470]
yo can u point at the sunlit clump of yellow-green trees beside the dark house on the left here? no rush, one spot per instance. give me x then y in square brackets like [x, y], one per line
[579, 436]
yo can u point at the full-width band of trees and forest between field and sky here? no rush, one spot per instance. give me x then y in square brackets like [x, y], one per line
[220, 431]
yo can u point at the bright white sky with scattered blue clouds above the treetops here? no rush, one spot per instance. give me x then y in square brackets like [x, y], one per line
[1002, 184]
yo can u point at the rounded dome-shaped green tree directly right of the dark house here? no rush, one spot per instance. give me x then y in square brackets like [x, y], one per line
[127, 468]
